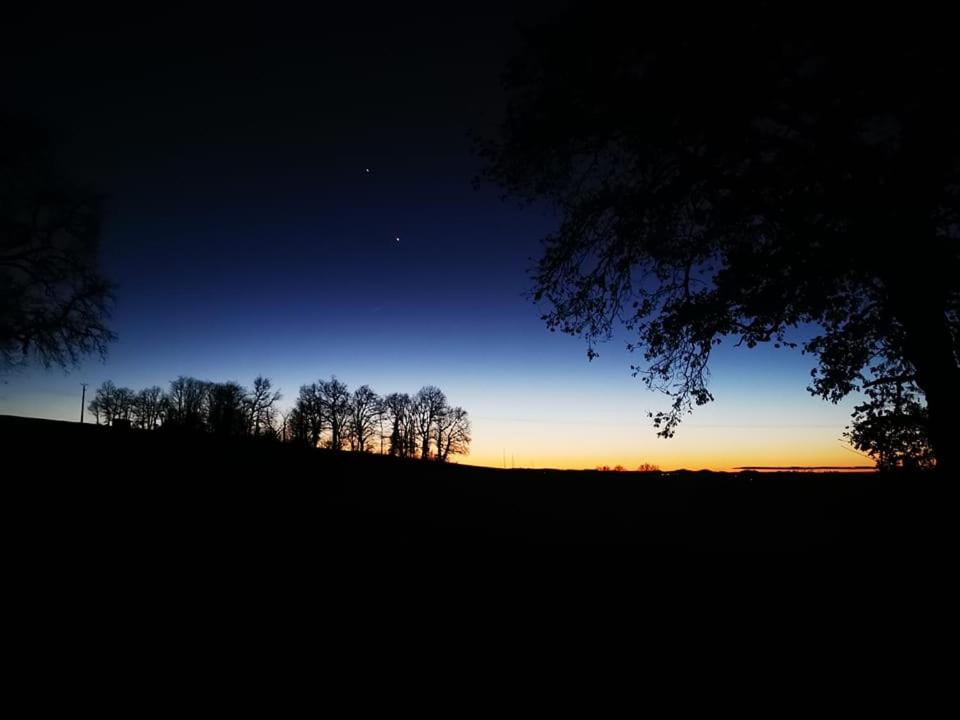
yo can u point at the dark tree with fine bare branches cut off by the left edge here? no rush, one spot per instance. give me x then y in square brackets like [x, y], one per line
[53, 300]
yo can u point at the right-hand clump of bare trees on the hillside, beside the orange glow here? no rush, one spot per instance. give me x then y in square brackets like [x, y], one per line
[327, 414]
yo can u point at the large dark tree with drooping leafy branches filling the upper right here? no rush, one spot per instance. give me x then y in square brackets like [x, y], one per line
[739, 172]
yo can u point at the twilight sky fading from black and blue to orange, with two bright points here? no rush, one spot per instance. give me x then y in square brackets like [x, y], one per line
[292, 194]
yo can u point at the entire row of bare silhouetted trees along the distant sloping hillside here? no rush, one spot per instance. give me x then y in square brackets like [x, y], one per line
[326, 414]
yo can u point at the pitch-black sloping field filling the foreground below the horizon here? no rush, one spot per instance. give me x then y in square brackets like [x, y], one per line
[147, 570]
